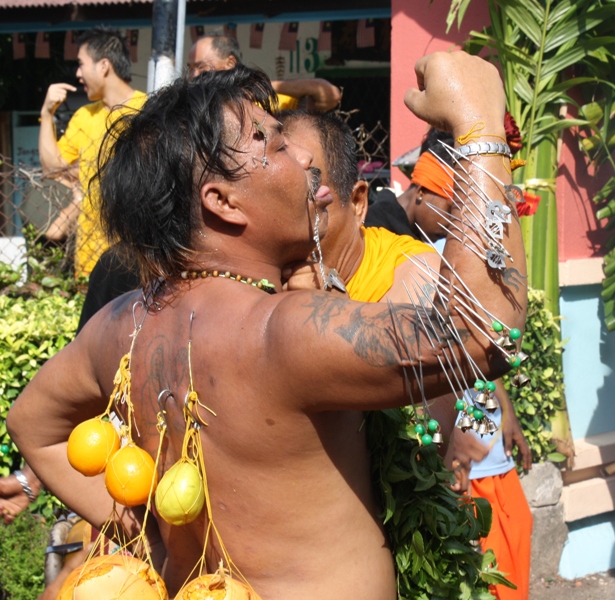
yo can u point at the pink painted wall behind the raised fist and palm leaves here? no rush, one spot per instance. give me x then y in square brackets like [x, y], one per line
[419, 28]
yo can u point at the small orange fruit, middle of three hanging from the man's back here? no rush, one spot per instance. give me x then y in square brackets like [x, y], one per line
[129, 475]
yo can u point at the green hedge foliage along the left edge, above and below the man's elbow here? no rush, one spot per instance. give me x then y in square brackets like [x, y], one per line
[38, 319]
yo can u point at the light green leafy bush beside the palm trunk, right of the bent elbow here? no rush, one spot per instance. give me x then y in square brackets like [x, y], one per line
[537, 403]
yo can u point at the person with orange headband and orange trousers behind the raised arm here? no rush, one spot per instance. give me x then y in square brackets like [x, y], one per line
[492, 476]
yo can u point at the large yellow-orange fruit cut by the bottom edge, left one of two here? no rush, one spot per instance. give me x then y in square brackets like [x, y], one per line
[113, 577]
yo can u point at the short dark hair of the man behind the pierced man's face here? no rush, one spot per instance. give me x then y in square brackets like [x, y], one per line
[338, 145]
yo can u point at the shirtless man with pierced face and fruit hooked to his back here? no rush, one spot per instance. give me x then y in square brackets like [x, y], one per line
[286, 375]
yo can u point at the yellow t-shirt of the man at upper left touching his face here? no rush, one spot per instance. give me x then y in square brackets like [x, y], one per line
[82, 141]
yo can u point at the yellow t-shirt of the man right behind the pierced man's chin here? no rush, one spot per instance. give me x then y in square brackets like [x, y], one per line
[384, 251]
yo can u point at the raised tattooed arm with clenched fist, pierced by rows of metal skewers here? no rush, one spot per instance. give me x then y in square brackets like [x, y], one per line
[480, 281]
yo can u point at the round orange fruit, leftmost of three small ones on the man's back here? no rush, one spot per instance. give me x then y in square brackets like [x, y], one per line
[90, 446]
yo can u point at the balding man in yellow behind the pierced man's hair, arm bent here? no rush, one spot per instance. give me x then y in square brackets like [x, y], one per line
[221, 52]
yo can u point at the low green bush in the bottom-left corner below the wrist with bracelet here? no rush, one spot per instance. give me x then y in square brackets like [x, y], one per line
[22, 557]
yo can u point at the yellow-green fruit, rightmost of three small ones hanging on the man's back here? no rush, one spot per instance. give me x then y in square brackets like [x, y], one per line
[180, 495]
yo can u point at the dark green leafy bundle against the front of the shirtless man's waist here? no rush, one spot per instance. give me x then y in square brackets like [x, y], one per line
[433, 530]
